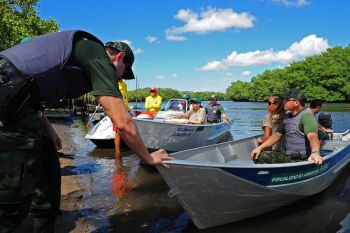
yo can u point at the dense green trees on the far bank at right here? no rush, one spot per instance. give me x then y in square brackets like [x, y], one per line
[325, 76]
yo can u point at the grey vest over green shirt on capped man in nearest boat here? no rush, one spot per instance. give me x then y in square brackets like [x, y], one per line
[296, 140]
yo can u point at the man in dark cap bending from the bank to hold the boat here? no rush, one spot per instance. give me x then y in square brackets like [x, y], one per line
[37, 73]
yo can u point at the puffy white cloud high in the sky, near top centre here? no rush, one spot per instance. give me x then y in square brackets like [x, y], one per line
[211, 20]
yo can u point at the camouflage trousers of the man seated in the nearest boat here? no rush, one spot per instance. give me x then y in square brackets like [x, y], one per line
[275, 157]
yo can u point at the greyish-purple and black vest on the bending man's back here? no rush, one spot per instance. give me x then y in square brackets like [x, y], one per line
[44, 58]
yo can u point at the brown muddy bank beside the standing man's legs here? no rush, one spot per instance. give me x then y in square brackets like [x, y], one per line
[71, 189]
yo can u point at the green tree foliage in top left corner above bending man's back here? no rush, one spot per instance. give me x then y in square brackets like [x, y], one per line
[19, 19]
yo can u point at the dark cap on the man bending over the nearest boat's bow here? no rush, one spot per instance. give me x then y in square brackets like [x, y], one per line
[128, 59]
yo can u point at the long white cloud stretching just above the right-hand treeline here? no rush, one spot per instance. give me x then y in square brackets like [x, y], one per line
[308, 46]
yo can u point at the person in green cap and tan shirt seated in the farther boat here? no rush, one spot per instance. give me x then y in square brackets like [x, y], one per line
[196, 115]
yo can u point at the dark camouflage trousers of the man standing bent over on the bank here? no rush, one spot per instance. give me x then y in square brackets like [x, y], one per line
[29, 175]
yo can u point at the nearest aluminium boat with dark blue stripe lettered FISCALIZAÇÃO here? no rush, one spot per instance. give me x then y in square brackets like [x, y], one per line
[219, 184]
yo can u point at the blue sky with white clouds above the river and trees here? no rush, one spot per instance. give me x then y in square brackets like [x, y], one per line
[205, 45]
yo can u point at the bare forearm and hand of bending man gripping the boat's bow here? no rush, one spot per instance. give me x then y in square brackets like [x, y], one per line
[127, 129]
